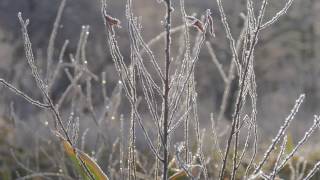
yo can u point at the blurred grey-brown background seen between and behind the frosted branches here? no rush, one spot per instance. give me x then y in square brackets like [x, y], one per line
[287, 59]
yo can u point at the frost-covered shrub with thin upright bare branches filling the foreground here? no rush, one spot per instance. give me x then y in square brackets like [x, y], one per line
[168, 89]
